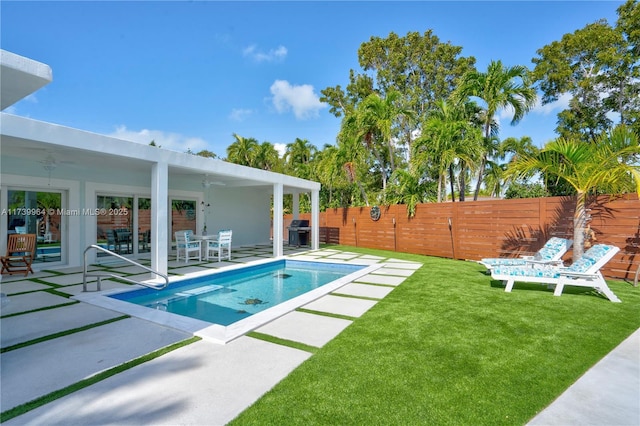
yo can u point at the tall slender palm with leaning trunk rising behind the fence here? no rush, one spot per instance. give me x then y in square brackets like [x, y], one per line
[500, 87]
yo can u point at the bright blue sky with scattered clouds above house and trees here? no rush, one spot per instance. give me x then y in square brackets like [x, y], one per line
[189, 74]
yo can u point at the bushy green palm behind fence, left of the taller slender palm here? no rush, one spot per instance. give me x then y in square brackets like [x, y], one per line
[448, 137]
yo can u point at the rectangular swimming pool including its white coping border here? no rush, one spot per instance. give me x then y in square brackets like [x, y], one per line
[228, 303]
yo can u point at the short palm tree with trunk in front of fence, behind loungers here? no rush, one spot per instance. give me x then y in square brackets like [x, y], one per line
[610, 164]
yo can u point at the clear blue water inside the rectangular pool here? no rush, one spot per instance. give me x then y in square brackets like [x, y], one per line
[230, 296]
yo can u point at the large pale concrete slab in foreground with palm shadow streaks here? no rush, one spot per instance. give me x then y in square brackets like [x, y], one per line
[200, 384]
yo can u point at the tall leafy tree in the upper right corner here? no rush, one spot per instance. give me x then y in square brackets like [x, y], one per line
[599, 66]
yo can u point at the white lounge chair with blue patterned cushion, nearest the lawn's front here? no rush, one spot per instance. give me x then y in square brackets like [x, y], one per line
[584, 272]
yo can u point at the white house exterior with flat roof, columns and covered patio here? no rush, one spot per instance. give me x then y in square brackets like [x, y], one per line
[84, 167]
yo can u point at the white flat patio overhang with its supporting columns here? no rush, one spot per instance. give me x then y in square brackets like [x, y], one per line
[87, 164]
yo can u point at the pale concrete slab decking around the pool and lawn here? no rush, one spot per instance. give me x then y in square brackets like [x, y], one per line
[204, 383]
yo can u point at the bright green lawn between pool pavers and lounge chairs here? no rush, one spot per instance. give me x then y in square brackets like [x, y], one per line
[450, 347]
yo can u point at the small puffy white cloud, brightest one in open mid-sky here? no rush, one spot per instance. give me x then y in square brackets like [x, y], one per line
[301, 99]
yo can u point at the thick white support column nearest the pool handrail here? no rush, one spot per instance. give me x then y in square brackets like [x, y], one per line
[160, 217]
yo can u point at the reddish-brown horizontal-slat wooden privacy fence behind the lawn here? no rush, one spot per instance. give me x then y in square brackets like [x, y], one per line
[490, 228]
